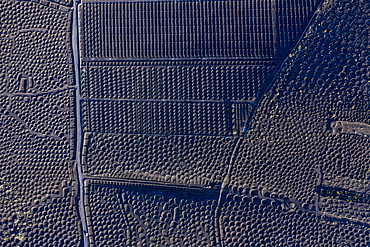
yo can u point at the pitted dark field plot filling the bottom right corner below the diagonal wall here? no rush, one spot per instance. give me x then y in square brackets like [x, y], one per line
[253, 220]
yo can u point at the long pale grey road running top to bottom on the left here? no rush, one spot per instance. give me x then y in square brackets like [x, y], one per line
[76, 55]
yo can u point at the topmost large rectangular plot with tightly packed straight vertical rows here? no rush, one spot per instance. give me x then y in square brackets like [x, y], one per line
[178, 29]
